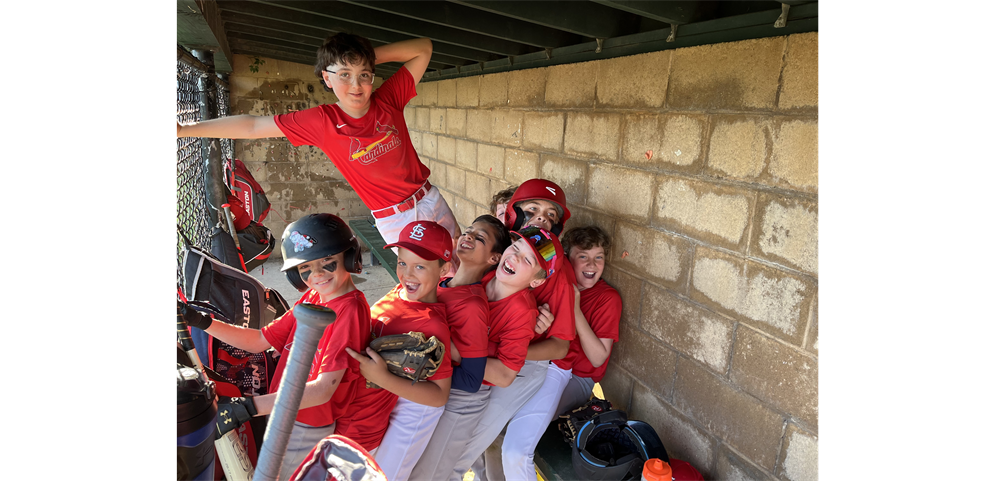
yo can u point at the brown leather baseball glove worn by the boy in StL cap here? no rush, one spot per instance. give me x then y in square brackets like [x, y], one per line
[410, 355]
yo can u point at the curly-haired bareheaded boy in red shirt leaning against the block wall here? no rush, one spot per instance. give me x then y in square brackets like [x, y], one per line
[598, 310]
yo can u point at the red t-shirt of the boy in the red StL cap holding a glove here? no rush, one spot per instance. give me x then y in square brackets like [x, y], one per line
[365, 421]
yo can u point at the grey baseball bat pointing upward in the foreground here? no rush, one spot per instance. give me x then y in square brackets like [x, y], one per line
[311, 323]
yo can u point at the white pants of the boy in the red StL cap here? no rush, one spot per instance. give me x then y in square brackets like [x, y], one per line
[410, 429]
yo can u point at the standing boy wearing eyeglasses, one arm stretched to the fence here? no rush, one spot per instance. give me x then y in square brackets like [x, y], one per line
[364, 133]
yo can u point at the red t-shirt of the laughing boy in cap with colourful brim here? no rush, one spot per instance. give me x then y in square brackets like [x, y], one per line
[510, 327]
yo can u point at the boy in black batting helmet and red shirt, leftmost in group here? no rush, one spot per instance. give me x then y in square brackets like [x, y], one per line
[319, 253]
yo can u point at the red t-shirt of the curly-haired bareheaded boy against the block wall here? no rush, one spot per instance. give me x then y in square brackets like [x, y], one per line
[602, 307]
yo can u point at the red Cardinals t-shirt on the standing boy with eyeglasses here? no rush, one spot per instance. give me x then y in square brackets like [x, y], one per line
[374, 152]
